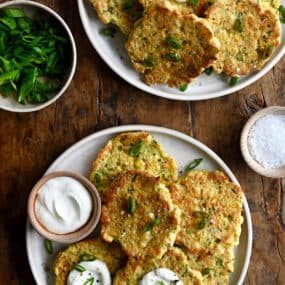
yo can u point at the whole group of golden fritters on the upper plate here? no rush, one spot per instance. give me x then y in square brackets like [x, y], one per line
[173, 41]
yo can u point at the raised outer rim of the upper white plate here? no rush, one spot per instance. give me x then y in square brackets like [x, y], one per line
[180, 97]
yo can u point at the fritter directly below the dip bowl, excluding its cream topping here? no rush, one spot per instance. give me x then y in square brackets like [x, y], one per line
[110, 253]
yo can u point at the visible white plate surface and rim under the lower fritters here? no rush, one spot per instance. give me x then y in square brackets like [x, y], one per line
[183, 148]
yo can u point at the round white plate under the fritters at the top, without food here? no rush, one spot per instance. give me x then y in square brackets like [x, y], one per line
[112, 51]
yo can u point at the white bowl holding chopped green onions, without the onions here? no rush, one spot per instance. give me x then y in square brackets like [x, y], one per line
[10, 103]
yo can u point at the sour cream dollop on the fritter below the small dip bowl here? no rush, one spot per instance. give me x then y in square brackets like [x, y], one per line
[96, 272]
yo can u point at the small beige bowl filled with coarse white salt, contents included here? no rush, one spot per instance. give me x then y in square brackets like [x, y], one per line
[263, 142]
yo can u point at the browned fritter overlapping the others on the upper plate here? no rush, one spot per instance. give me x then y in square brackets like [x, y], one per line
[170, 47]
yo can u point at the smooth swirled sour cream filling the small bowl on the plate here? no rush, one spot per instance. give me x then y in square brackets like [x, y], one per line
[63, 205]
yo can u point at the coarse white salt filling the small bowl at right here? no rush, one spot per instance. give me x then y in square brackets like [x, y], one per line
[266, 141]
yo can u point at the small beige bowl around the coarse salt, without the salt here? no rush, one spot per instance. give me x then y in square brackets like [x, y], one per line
[252, 163]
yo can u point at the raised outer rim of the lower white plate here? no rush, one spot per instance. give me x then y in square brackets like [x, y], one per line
[166, 131]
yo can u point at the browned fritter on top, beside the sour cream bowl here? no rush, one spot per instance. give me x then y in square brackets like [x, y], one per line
[140, 215]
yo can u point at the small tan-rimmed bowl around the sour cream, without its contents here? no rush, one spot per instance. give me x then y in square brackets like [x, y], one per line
[79, 234]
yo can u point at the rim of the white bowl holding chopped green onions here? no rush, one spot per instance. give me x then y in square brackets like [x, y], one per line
[74, 54]
